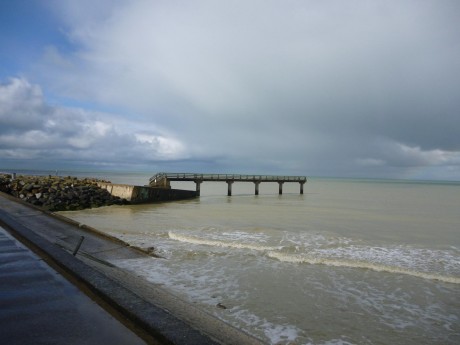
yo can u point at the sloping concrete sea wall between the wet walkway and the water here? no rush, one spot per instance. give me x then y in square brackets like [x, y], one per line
[174, 320]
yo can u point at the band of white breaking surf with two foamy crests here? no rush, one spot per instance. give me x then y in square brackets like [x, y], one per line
[401, 260]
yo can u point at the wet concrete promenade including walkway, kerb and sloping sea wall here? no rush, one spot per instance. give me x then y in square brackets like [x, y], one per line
[137, 308]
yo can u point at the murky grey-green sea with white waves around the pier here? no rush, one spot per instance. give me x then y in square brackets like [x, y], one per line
[348, 262]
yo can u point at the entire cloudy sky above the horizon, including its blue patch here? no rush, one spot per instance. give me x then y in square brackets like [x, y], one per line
[295, 87]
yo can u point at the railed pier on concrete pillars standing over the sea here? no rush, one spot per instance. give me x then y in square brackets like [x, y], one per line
[163, 180]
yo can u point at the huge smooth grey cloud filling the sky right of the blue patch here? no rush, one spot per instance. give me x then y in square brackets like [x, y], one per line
[314, 87]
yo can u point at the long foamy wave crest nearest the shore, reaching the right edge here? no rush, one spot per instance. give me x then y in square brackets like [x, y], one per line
[335, 262]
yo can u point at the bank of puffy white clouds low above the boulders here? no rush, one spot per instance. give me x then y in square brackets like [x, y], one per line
[33, 129]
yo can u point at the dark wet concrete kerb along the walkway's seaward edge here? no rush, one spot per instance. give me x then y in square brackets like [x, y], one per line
[154, 320]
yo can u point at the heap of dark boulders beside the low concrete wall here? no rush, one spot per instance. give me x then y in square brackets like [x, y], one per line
[56, 193]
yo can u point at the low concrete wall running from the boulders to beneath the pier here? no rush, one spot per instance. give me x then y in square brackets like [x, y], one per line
[145, 194]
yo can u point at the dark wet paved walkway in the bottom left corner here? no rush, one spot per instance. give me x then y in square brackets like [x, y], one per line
[39, 306]
